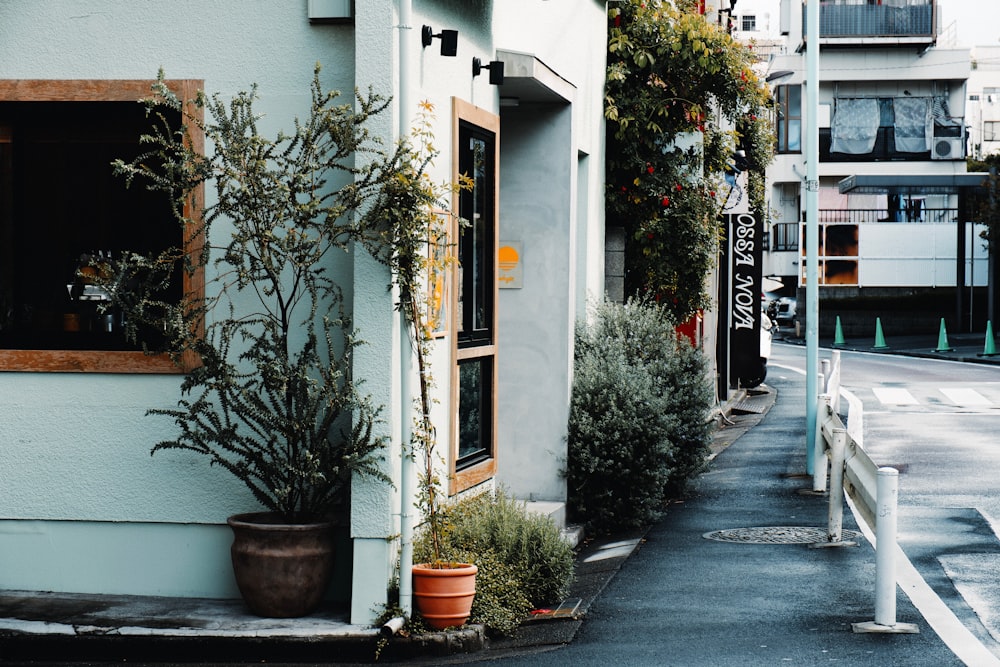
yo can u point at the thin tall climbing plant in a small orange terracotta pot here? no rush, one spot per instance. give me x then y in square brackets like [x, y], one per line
[411, 214]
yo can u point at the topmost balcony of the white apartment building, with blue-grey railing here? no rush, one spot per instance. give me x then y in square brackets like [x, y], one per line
[851, 23]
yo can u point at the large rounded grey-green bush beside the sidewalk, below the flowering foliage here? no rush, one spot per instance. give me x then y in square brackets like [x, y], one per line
[638, 427]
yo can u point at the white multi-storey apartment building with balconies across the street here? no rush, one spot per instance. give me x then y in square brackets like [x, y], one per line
[892, 118]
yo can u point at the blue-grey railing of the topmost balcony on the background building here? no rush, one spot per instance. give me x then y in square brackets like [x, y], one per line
[842, 20]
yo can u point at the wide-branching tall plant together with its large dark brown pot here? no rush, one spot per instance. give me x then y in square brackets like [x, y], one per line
[269, 396]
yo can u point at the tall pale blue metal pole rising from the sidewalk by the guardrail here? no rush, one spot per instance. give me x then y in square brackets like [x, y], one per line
[811, 130]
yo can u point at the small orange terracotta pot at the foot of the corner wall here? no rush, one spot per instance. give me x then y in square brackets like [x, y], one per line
[444, 595]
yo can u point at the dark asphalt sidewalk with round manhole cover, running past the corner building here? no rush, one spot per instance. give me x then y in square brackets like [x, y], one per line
[753, 594]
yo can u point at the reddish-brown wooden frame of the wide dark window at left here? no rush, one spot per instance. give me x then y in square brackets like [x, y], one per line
[106, 90]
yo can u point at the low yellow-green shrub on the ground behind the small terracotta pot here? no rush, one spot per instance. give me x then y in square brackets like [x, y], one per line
[523, 560]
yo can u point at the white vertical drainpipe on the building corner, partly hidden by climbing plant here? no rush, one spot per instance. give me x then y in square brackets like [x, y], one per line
[406, 473]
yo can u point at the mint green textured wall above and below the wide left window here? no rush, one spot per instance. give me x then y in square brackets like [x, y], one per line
[83, 505]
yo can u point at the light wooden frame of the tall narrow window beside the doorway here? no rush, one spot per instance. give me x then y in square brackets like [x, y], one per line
[481, 471]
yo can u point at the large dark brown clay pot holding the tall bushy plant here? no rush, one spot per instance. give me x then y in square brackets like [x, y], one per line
[281, 569]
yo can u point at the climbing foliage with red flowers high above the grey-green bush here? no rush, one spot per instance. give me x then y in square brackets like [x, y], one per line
[674, 81]
